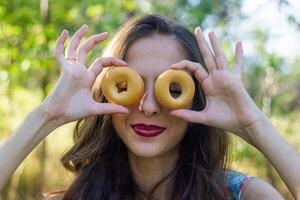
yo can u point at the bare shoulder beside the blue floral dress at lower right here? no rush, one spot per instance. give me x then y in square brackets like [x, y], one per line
[259, 189]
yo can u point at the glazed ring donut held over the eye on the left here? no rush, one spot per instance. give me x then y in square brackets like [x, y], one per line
[122, 85]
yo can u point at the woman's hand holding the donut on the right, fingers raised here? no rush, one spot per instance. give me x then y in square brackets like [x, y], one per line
[228, 106]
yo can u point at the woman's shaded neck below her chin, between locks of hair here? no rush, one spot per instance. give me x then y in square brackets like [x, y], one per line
[148, 172]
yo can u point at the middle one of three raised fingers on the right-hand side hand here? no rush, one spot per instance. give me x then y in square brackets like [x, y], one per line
[219, 54]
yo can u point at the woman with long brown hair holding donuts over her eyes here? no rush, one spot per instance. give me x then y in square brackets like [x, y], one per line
[188, 159]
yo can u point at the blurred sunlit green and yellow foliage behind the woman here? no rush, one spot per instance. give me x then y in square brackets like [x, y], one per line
[268, 29]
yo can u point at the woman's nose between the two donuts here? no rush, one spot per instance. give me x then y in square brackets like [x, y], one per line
[148, 104]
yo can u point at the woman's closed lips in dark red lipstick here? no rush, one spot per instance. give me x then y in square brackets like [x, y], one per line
[145, 130]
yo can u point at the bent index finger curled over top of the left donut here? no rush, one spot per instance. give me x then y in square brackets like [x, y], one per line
[100, 63]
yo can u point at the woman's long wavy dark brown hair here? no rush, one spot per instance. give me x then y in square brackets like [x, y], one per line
[99, 157]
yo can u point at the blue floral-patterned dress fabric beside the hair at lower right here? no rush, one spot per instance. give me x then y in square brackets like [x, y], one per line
[236, 183]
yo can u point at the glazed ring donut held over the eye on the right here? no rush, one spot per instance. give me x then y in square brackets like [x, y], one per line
[179, 78]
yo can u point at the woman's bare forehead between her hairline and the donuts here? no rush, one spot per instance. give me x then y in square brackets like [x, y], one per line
[150, 56]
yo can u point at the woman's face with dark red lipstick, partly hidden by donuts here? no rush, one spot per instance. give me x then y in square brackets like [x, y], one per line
[150, 57]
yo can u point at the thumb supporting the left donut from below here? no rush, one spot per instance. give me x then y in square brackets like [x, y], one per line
[107, 108]
